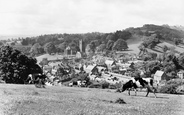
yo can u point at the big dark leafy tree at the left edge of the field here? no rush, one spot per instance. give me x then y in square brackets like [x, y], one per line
[15, 67]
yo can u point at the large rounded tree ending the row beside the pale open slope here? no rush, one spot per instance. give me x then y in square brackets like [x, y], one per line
[120, 45]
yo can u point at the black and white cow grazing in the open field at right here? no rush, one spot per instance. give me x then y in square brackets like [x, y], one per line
[139, 82]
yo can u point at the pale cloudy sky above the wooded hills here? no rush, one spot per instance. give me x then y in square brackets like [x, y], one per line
[36, 17]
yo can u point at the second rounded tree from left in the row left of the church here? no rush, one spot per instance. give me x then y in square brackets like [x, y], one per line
[50, 48]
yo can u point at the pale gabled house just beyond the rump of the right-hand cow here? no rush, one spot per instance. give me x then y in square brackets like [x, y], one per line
[160, 75]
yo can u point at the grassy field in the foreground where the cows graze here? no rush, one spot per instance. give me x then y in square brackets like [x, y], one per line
[60, 100]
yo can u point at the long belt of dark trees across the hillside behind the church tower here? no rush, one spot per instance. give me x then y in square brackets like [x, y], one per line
[101, 42]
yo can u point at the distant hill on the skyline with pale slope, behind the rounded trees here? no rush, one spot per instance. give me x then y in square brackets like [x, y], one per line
[133, 36]
